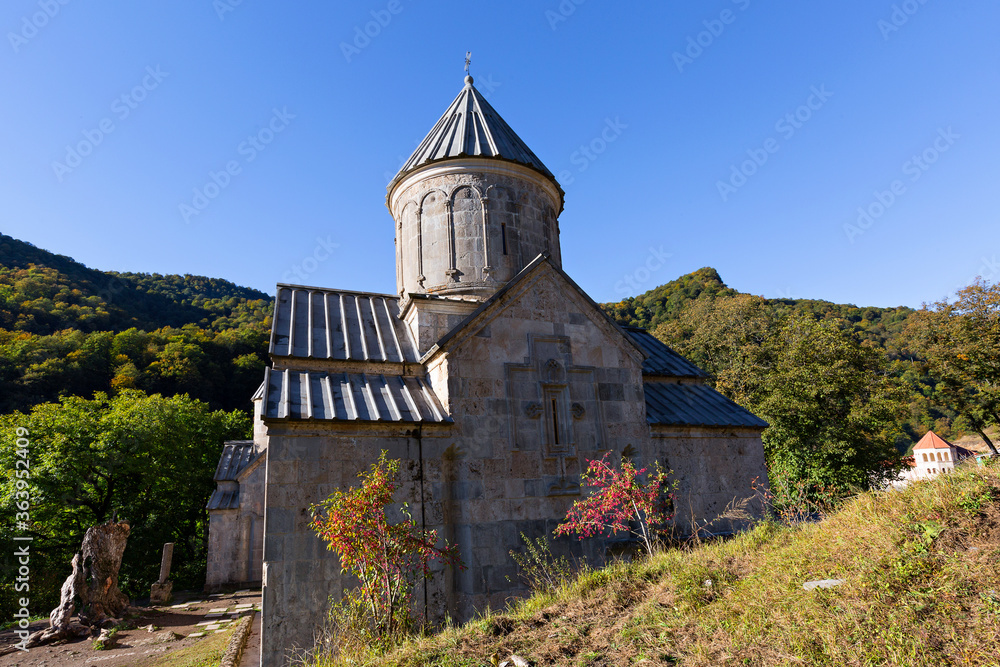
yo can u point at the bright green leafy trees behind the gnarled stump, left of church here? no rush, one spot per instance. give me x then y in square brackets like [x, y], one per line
[147, 459]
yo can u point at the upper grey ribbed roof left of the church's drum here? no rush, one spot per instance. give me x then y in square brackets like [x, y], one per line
[327, 324]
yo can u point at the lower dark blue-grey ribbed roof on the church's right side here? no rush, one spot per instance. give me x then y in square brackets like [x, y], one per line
[675, 404]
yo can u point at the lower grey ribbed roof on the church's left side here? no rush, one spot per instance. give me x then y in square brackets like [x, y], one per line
[303, 395]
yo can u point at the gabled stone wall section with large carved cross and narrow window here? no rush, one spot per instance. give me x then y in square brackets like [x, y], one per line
[535, 392]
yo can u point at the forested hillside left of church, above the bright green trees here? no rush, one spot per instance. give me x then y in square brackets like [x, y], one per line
[66, 329]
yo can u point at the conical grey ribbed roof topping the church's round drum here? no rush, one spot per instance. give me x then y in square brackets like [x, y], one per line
[471, 127]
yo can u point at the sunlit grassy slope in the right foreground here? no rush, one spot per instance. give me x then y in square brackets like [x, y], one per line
[922, 588]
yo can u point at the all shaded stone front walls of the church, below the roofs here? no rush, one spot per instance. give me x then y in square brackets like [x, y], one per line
[536, 382]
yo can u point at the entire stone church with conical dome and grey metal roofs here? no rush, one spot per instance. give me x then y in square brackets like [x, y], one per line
[489, 373]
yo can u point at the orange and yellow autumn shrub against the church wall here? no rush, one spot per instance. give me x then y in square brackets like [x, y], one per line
[386, 557]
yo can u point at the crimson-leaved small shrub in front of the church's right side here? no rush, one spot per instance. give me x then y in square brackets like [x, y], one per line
[624, 500]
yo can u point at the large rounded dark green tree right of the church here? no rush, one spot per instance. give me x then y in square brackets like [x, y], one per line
[832, 406]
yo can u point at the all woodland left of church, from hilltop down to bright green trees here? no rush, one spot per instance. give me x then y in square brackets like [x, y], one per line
[94, 366]
